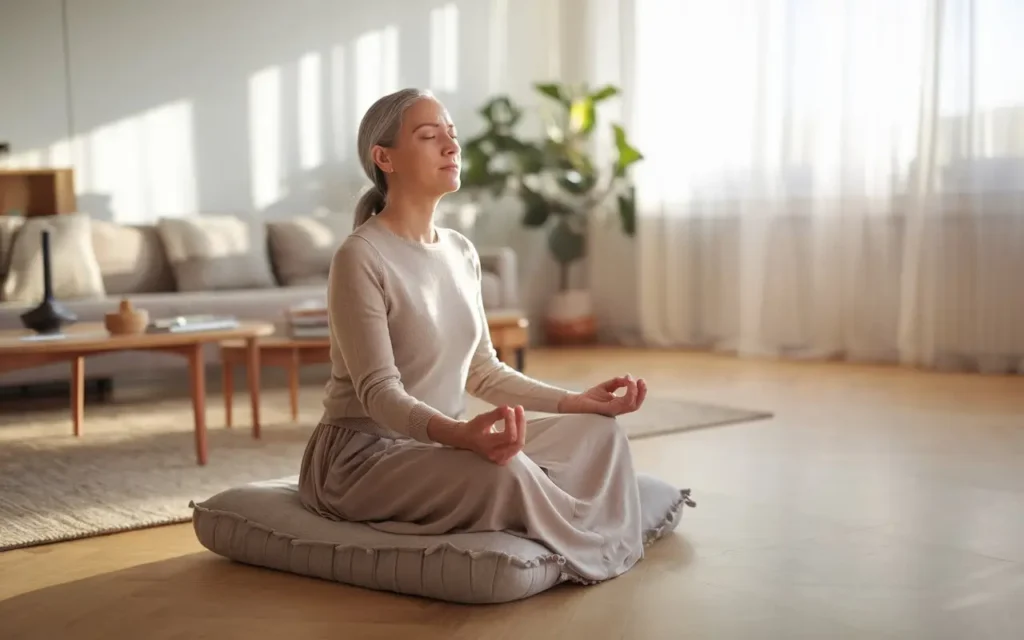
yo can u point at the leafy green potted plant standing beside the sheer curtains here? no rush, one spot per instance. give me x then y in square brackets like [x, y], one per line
[560, 182]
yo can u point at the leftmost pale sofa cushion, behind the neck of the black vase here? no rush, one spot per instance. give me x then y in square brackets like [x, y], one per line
[75, 270]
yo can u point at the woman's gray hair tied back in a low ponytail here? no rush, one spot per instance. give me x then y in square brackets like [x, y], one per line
[380, 125]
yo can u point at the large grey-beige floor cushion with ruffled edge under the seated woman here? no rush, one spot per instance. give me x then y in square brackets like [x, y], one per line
[265, 525]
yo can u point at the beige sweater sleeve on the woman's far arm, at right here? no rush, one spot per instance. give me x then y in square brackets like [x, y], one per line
[497, 383]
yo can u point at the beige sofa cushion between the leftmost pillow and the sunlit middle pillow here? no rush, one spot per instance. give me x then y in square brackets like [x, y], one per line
[132, 259]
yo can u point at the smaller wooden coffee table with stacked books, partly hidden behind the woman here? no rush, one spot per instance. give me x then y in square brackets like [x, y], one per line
[509, 334]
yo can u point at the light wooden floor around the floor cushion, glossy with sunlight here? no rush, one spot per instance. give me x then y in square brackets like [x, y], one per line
[878, 503]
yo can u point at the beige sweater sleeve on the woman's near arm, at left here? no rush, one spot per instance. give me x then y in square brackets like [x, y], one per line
[358, 316]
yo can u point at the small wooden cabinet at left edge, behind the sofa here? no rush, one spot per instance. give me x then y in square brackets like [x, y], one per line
[37, 192]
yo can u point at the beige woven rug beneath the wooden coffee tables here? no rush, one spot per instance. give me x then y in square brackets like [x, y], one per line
[136, 465]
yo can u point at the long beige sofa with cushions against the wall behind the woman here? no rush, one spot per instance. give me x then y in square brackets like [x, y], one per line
[248, 268]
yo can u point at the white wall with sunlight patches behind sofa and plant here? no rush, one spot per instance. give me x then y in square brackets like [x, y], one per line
[252, 106]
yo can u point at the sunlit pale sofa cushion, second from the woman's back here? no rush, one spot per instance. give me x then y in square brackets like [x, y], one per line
[218, 252]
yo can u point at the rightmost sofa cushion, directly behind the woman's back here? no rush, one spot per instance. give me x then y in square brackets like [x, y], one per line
[303, 247]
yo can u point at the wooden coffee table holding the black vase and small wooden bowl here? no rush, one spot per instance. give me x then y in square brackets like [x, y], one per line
[21, 350]
